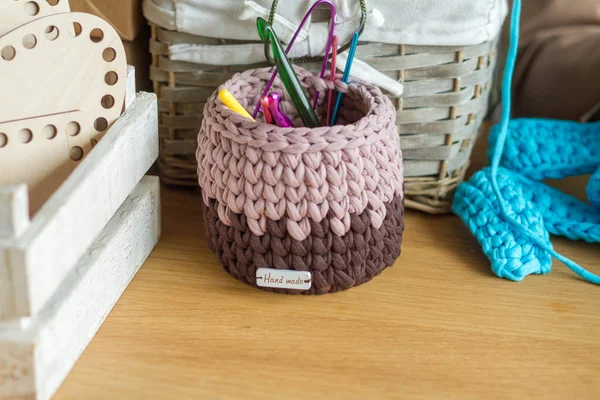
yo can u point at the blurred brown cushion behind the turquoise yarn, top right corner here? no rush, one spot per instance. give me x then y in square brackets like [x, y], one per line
[558, 72]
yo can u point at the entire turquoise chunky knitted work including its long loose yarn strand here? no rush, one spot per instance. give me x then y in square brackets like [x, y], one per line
[508, 211]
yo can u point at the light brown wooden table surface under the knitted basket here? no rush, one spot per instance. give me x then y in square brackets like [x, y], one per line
[438, 325]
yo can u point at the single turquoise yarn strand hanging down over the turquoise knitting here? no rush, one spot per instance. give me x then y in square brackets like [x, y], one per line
[500, 144]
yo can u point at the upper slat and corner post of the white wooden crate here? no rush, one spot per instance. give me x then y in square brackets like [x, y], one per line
[36, 255]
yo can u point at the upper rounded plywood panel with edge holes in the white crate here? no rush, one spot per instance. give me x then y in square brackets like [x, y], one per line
[73, 76]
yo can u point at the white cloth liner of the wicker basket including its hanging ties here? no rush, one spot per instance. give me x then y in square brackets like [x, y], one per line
[408, 22]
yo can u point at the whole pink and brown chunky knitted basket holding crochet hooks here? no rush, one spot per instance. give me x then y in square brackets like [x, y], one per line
[327, 200]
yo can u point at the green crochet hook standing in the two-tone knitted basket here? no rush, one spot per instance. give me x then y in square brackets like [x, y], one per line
[288, 76]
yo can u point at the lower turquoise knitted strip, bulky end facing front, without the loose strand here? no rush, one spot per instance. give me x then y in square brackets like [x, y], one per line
[535, 205]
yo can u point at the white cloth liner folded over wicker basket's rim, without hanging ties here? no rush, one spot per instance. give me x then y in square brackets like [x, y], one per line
[422, 22]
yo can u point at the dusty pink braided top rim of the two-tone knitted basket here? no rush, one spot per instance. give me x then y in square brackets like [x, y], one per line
[369, 128]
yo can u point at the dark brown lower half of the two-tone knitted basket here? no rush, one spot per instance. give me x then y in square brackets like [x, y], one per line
[336, 263]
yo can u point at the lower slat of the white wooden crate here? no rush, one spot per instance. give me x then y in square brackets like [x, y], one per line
[37, 353]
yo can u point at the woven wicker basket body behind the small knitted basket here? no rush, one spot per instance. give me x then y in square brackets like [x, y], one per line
[446, 93]
